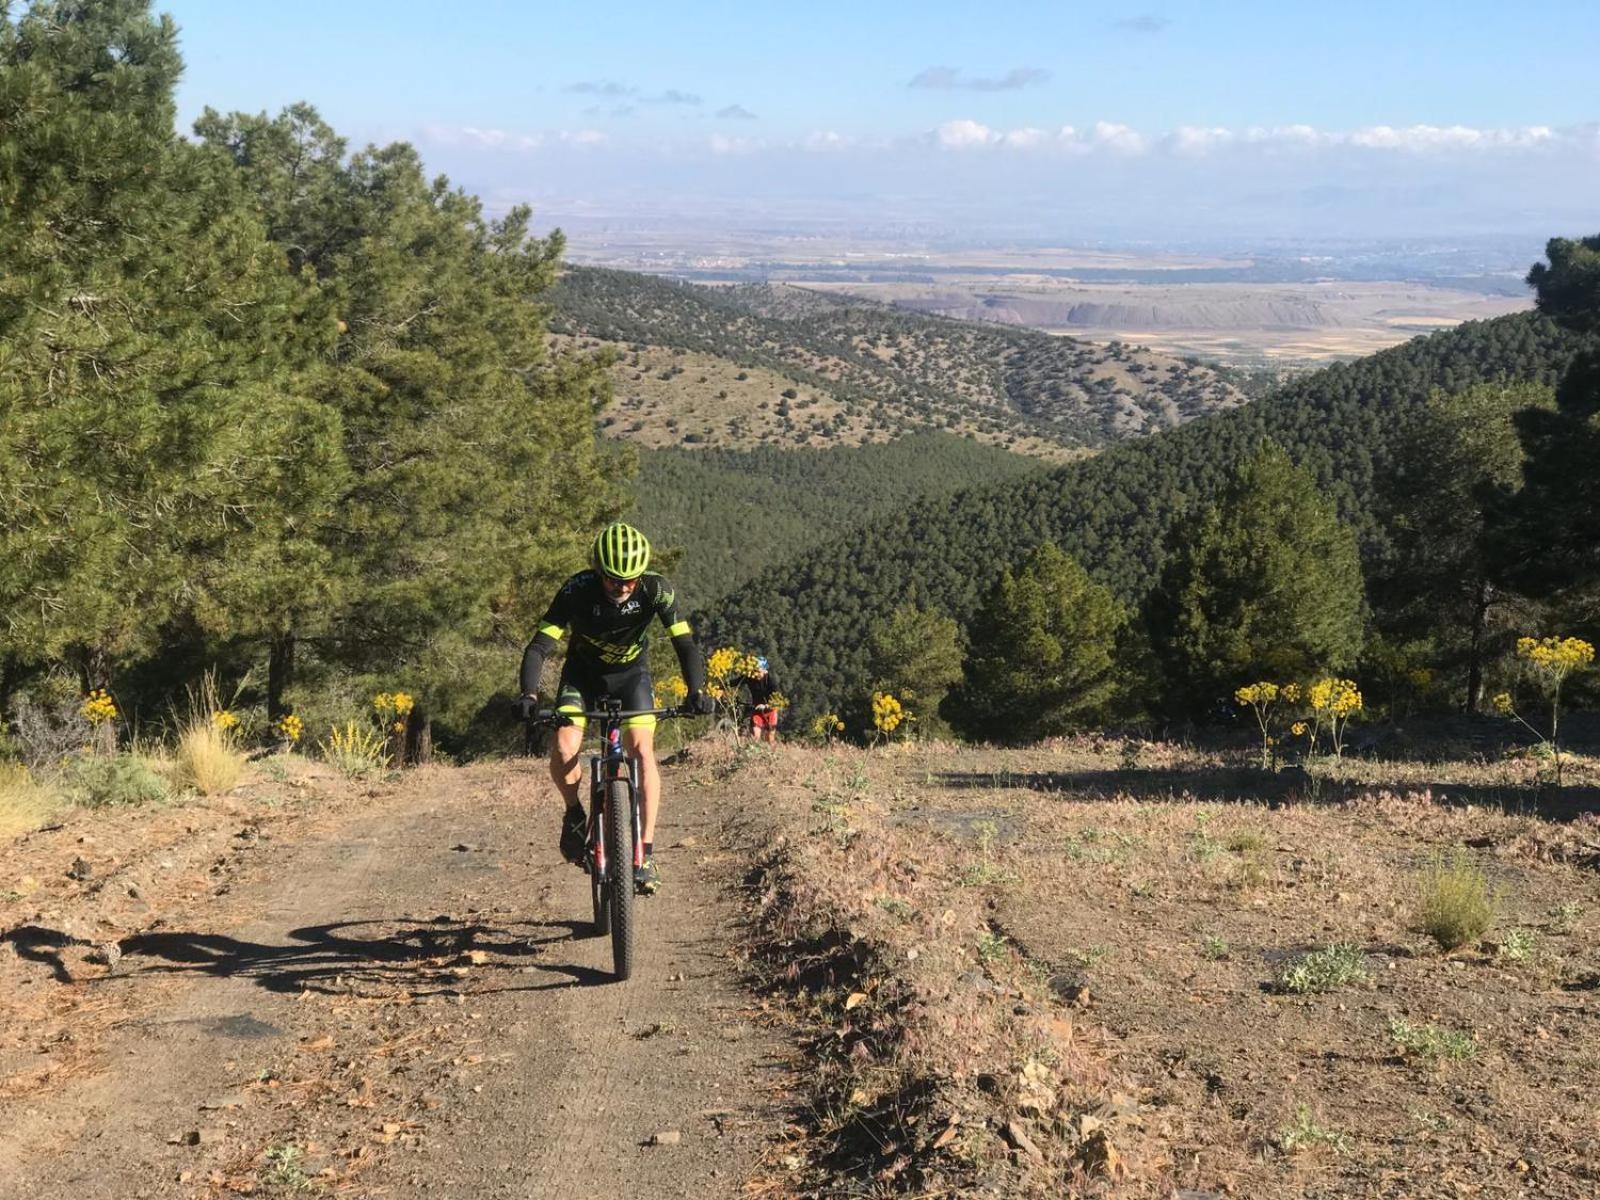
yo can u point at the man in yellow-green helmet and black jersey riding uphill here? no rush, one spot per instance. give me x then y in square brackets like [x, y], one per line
[609, 610]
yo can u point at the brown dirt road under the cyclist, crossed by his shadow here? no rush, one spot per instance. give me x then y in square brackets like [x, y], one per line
[386, 998]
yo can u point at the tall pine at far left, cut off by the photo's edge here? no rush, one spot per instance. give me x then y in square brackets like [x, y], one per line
[153, 441]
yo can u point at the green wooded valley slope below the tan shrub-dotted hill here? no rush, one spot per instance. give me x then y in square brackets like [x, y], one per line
[737, 514]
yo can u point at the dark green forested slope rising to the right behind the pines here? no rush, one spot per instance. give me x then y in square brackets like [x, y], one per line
[1116, 511]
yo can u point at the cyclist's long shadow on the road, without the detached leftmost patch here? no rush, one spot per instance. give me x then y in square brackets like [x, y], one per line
[422, 958]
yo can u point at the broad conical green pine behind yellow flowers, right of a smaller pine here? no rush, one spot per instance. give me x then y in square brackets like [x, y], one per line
[1265, 585]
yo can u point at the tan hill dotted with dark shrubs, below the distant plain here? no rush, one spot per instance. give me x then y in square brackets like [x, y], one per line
[777, 366]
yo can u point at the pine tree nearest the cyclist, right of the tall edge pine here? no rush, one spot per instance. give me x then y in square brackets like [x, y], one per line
[476, 476]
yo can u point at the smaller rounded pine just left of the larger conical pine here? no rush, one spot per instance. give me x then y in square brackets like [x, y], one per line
[1044, 652]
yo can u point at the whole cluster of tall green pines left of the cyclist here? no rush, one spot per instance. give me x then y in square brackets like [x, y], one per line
[266, 407]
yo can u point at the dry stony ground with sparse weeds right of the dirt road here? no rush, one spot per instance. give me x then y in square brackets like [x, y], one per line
[1017, 975]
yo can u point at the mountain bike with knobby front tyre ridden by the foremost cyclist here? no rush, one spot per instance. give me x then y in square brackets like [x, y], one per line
[615, 834]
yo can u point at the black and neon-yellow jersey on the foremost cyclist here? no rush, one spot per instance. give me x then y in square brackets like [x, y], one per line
[610, 636]
